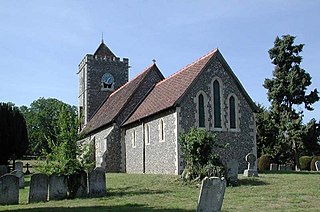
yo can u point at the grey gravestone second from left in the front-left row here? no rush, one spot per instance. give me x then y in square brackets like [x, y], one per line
[38, 188]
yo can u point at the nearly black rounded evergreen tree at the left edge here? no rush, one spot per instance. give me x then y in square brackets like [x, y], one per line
[13, 132]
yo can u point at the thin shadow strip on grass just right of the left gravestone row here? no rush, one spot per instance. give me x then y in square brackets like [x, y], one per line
[130, 191]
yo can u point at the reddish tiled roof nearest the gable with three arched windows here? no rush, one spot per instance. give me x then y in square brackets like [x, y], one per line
[167, 92]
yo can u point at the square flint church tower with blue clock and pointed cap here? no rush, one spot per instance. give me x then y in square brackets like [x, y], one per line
[99, 75]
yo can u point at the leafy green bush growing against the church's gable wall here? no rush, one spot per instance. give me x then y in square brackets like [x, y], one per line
[197, 147]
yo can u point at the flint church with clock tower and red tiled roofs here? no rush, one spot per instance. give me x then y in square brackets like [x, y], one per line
[134, 125]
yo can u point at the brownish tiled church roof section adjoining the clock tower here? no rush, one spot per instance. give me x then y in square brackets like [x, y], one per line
[114, 104]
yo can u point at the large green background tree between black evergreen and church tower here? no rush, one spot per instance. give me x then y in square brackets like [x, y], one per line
[42, 120]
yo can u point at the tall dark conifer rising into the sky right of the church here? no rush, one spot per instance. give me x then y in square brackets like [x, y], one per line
[287, 90]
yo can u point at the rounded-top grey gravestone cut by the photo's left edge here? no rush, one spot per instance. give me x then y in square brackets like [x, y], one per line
[9, 190]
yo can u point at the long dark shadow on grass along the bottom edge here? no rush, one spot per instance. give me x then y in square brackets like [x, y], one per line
[127, 207]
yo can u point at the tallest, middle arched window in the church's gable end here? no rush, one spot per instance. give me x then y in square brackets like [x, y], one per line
[216, 104]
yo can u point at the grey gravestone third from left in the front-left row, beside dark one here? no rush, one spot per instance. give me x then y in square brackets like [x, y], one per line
[58, 188]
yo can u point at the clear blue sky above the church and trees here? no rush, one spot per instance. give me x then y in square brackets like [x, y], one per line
[43, 42]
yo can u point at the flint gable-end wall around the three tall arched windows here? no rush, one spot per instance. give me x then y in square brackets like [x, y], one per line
[241, 139]
